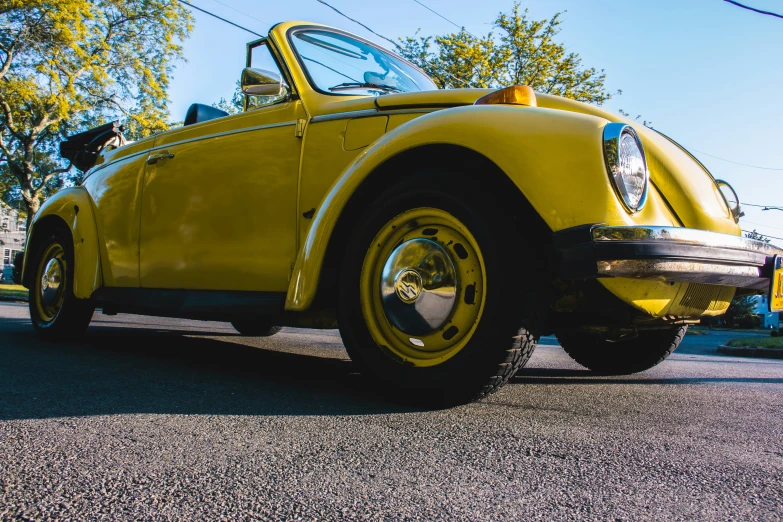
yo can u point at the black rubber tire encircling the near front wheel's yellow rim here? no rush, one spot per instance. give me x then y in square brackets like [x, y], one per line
[505, 335]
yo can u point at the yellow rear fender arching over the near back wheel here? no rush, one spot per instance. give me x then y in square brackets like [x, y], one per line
[74, 208]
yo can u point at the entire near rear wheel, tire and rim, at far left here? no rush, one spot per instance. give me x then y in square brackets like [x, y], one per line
[57, 314]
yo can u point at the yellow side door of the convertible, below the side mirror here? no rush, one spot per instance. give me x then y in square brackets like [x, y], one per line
[219, 208]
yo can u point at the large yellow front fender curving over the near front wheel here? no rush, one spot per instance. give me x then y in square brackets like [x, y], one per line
[554, 157]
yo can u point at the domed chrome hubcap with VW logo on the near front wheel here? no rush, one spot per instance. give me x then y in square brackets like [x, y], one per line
[418, 287]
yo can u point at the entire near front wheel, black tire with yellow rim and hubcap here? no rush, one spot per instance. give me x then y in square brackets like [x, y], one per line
[432, 292]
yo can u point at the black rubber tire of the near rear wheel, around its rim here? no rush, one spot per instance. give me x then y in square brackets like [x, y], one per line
[74, 315]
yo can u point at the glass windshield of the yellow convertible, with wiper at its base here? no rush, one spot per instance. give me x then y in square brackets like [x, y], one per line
[339, 64]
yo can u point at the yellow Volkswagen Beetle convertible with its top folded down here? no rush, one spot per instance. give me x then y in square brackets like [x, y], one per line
[442, 231]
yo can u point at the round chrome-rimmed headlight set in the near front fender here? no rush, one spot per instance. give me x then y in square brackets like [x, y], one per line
[626, 164]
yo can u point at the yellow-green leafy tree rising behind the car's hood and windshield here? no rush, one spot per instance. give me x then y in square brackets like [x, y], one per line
[524, 52]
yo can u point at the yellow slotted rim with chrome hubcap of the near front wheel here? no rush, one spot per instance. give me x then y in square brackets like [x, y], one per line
[423, 286]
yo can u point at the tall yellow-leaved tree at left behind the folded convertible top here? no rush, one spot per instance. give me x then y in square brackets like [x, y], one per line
[69, 65]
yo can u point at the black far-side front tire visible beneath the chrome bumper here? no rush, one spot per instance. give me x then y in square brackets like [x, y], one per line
[624, 357]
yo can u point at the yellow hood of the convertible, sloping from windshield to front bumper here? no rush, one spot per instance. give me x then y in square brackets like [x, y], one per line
[688, 188]
